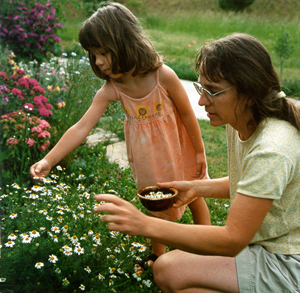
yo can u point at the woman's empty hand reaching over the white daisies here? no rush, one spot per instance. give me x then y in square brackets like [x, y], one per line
[123, 216]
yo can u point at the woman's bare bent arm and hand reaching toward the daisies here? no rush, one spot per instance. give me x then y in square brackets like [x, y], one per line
[244, 219]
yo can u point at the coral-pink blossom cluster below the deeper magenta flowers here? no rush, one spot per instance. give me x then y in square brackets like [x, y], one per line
[15, 123]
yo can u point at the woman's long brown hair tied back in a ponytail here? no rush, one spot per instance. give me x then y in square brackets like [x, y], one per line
[245, 63]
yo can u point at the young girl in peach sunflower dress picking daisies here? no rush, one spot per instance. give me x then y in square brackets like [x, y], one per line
[160, 146]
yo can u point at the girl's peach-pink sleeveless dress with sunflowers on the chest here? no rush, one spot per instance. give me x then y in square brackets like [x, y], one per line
[158, 146]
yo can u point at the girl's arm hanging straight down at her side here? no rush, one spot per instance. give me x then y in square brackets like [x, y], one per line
[170, 81]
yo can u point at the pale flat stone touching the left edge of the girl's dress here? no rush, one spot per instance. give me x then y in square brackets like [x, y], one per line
[117, 153]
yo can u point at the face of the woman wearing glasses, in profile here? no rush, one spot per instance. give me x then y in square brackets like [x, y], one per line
[226, 108]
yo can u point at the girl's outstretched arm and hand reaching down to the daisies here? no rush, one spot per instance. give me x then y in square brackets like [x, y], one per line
[76, 134]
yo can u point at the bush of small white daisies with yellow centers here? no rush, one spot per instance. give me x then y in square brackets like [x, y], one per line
[56, 243]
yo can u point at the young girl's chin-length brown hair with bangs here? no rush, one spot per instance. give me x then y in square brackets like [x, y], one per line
[116, 30]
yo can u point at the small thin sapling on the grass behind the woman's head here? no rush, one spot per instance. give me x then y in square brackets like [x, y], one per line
[284, 48]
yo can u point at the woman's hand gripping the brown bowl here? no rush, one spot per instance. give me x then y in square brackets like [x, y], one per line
[186, 192]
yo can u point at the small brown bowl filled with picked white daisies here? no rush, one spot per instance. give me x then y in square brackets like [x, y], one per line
[156, 199]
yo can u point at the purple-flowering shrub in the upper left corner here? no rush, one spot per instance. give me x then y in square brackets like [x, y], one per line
[30, 29]
